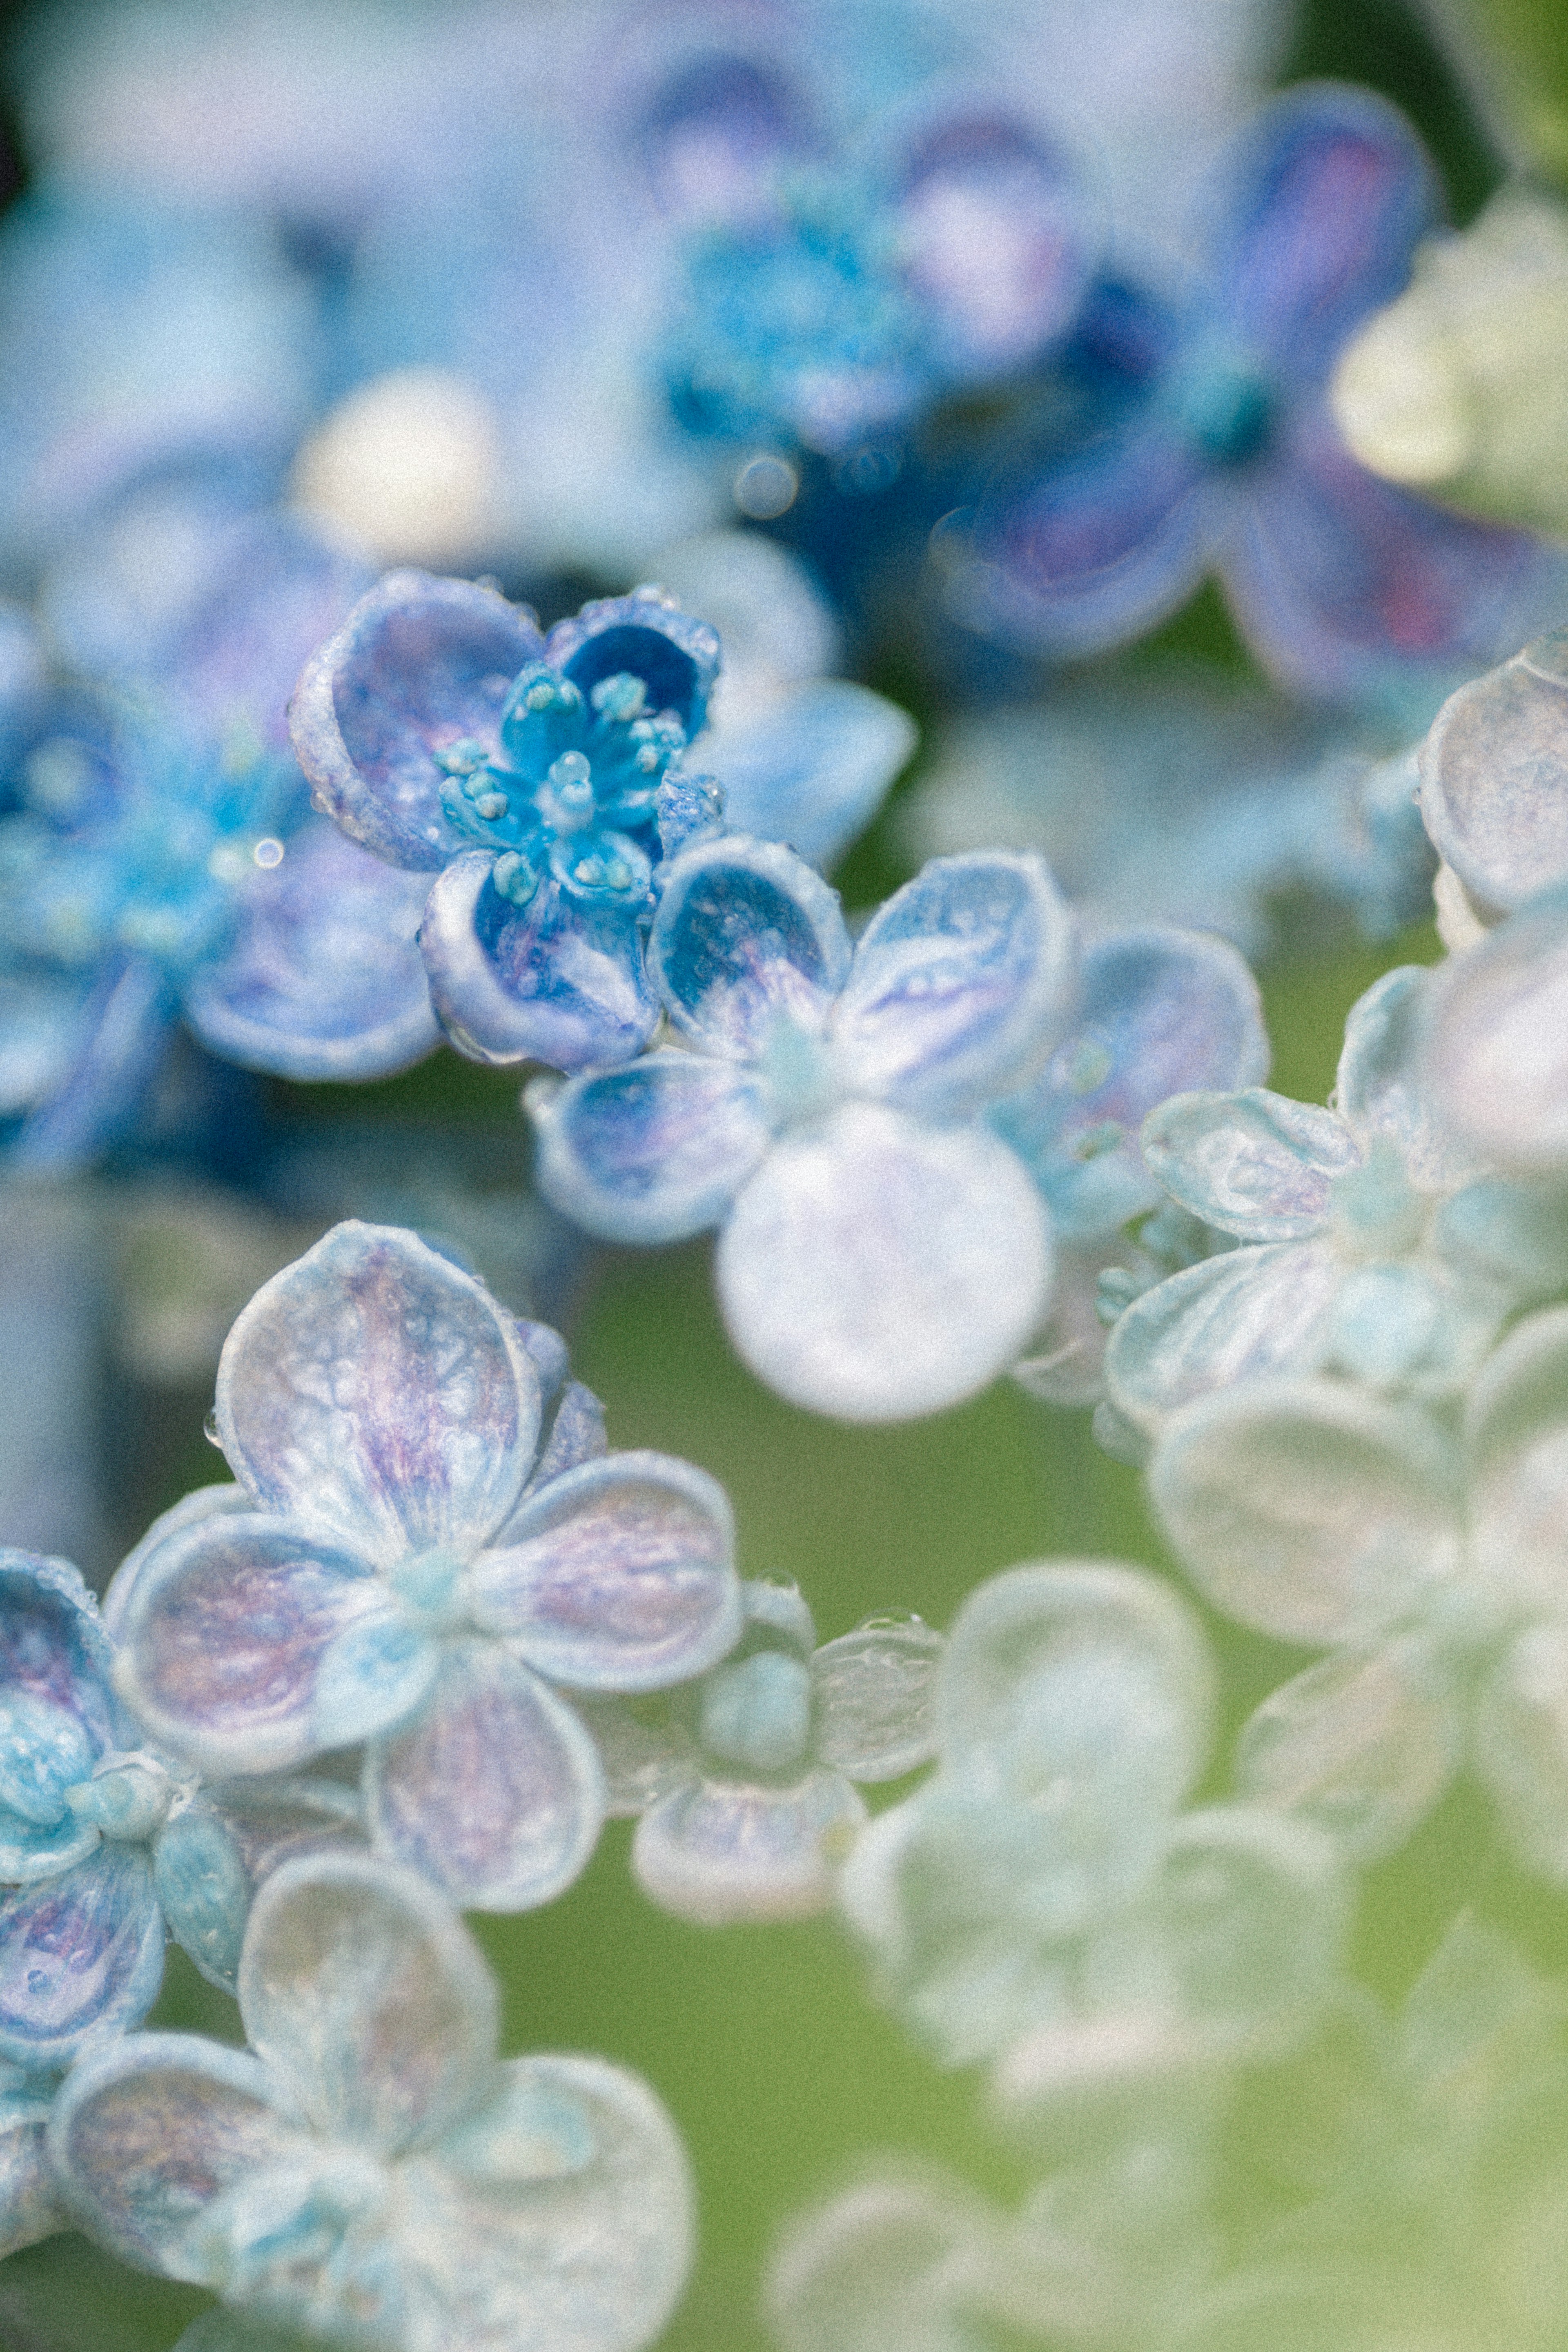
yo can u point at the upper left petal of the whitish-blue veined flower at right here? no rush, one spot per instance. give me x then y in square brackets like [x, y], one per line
[1254, 1163]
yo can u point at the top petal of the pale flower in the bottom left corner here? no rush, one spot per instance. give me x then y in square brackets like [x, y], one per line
[368, 2000]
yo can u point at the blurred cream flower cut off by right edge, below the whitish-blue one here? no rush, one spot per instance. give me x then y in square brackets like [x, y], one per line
[1430, 1570]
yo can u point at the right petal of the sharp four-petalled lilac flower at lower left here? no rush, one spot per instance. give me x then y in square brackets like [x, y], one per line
[615, 1577]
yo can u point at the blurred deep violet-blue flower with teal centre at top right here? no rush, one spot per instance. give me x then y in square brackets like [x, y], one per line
[1221, 448]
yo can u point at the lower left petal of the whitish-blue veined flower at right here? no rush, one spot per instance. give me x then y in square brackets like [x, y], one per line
[1240, 1316]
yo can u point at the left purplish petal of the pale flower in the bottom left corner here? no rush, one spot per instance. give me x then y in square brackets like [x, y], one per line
[149, 2132]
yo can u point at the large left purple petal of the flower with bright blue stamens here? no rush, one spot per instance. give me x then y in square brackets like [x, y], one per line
[420, 664]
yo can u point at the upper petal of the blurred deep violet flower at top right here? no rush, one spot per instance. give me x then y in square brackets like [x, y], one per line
[1329, 199]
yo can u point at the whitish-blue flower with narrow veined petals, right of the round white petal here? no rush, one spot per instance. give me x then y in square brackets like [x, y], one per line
[1374, 1243]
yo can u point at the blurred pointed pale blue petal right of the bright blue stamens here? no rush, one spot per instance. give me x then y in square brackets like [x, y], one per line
[815, 768]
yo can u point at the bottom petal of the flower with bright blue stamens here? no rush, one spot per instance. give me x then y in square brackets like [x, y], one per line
[558, 980]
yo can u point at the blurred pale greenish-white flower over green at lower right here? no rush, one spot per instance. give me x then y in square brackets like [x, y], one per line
[1043, 1902]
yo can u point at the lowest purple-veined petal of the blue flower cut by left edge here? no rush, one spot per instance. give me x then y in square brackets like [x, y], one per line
[79, 1956]
